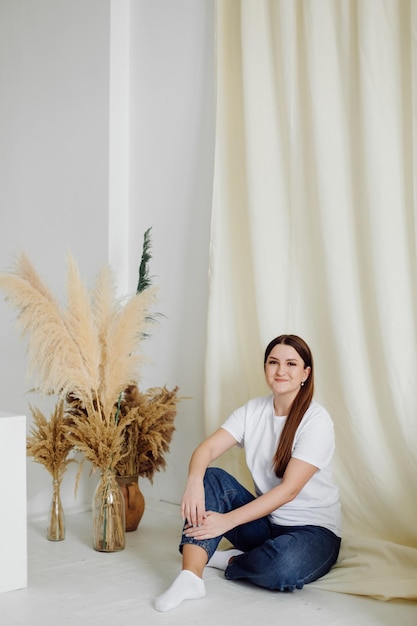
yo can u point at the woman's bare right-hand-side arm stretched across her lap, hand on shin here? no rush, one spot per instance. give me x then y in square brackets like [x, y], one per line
[297, 474]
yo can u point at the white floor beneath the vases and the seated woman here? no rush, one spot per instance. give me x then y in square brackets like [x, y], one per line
[70, 583]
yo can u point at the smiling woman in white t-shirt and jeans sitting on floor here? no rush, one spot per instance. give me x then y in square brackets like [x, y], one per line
[289, 534]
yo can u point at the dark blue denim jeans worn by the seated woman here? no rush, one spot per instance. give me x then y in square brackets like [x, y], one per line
[274, 557]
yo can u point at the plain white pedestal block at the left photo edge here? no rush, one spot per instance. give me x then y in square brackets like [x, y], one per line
[13, 530]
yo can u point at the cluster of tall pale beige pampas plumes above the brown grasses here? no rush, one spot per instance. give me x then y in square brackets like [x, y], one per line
[89, 348]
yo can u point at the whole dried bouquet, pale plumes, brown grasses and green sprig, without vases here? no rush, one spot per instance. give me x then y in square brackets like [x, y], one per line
[86, 353]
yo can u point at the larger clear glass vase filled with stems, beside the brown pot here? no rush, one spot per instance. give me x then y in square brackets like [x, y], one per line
[108, 515]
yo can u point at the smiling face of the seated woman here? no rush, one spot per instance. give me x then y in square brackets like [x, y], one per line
[285, 371]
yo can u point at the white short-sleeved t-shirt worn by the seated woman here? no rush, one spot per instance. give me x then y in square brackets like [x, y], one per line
[257, 429]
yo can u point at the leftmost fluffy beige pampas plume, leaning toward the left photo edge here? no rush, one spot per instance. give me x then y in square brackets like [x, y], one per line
[54, 358]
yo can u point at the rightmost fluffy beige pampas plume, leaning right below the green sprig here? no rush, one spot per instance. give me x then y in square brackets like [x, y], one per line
[123, 339]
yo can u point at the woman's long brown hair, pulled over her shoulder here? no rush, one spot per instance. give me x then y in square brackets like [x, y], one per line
[299, 406]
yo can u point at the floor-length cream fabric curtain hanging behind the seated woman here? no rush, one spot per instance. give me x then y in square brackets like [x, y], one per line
[314, 233]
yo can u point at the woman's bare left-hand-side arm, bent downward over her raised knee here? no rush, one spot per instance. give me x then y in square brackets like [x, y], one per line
[193, 503]
